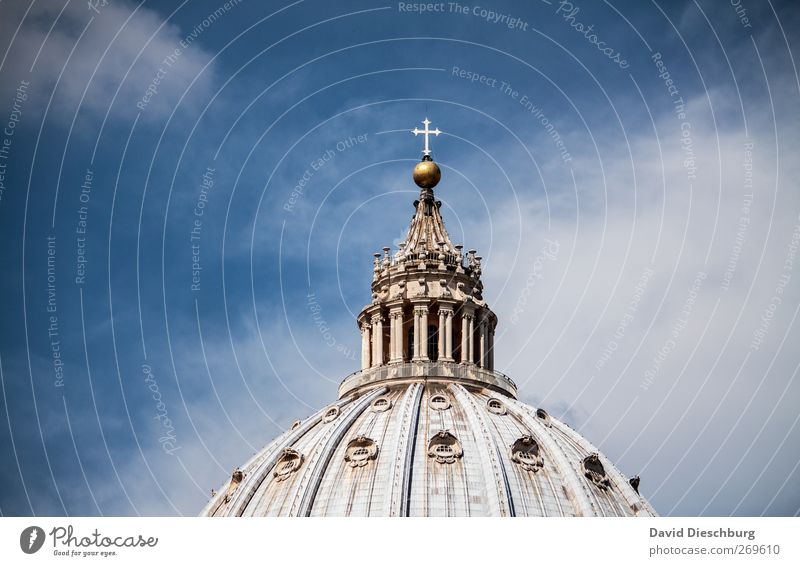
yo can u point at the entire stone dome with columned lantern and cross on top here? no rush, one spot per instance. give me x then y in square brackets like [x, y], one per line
[427, 426]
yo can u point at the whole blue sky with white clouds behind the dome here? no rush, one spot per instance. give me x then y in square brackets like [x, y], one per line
[192, 194]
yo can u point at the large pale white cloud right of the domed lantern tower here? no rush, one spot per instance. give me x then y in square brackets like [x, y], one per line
[706, 404]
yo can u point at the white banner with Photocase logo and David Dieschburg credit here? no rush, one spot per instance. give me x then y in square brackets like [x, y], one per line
[333, 541]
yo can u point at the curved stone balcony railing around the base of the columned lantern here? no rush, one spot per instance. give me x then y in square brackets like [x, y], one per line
[408, 372]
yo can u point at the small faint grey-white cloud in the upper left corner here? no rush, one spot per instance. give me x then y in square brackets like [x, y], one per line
[123, 48]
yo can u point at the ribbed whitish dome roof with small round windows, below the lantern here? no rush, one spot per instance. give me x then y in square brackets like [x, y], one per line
[411, 446]
